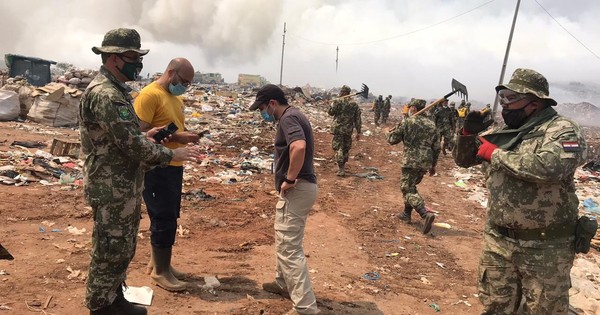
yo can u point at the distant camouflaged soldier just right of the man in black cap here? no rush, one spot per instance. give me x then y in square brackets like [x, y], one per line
[346, 118]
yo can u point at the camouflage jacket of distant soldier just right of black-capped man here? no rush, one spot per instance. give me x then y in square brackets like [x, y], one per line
[346, 117]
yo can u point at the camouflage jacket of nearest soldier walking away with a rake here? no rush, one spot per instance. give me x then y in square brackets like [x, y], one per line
[420, 139]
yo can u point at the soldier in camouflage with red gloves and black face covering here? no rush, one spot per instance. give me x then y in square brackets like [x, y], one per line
[528, 248]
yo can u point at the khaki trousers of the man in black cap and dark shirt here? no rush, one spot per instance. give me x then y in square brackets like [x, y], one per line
[291, 269]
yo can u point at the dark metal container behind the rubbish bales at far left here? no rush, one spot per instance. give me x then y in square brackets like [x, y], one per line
[35, 70]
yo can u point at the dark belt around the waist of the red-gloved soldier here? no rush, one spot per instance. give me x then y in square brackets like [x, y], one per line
[550, 232]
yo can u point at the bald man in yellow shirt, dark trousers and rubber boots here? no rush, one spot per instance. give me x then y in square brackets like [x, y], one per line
[160, 104]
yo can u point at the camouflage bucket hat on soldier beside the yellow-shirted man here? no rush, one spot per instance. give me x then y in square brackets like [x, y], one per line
[120, 40]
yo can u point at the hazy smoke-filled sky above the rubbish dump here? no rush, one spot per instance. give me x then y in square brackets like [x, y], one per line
[409, 48]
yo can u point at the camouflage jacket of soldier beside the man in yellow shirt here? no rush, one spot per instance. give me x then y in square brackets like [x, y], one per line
[112, 144]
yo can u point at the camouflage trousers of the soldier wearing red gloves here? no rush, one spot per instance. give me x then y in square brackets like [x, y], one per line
[538, 271]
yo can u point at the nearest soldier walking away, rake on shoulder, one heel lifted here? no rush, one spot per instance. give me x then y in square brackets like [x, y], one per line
[421, 152]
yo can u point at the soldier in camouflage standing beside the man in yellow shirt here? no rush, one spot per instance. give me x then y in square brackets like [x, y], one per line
[114, 150]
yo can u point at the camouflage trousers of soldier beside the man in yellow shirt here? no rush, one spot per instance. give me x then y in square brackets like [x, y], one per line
[114, 240]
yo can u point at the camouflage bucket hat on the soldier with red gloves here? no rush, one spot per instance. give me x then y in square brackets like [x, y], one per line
[528, 81]
